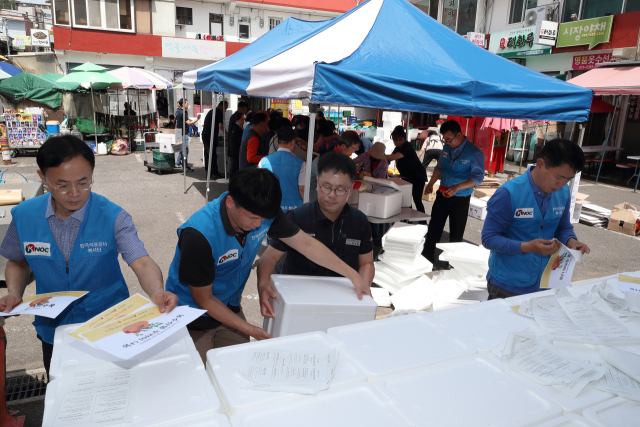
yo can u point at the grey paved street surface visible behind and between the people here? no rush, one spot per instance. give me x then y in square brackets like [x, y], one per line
[158, 206]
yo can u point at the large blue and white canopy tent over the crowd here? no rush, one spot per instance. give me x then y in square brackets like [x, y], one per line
[388, 54]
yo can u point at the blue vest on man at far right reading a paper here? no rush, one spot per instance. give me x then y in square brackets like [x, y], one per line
[523, 271]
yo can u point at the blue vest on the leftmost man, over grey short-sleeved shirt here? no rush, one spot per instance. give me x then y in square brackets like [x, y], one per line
[93, 265]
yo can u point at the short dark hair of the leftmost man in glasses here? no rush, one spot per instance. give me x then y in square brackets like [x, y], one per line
[61, 149]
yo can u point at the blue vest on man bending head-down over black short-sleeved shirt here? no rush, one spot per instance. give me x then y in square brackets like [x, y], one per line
[233, 262]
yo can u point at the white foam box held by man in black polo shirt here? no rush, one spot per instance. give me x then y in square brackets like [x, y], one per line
[308, 304]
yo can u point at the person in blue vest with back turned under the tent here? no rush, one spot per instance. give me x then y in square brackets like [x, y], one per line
[288, 168]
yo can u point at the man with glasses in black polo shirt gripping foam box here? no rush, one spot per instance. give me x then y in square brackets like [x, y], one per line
[341, 228]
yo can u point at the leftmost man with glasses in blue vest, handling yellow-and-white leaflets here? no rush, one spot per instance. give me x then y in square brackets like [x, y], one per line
[83, 233]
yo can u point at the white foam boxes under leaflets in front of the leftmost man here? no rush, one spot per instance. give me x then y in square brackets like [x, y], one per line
[171, 384]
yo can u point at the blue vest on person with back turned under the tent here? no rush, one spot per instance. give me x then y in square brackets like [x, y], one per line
[286, 167]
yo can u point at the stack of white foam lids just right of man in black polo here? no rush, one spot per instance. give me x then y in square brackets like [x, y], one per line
[401, 263]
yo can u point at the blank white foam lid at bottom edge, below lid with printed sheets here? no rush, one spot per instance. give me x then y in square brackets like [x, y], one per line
[355, 405]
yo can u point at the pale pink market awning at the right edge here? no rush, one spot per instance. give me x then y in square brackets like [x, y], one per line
[612, 79]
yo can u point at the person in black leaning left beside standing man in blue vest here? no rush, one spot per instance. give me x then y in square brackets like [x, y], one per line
[408, 164]
